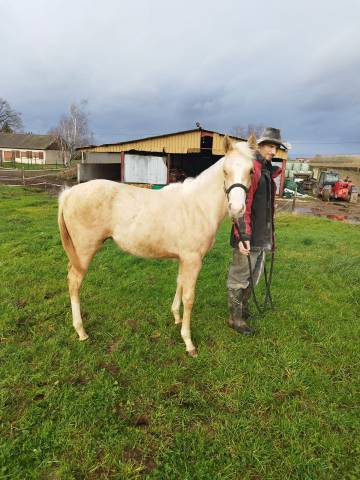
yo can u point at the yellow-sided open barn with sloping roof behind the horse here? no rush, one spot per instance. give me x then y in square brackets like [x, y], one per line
[157, 160]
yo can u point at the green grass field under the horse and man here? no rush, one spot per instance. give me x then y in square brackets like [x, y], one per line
[129, 403]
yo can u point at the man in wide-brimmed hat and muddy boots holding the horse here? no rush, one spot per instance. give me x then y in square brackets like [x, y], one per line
[256, 231]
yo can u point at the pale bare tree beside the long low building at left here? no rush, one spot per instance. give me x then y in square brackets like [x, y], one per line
[73, 131]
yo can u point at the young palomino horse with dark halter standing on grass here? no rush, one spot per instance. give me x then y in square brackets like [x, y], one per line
[179, 221]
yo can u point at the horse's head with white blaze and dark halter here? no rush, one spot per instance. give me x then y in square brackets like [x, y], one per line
[238, 167]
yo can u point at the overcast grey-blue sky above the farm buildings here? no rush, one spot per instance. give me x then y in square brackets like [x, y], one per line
[158, 66]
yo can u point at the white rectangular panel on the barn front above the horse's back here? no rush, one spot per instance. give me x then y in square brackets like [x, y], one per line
[145, 169]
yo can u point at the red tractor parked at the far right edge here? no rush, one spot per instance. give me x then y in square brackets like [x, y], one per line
[331, 187]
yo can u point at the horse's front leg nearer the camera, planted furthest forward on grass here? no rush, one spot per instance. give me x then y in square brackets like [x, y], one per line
[190, 269]
